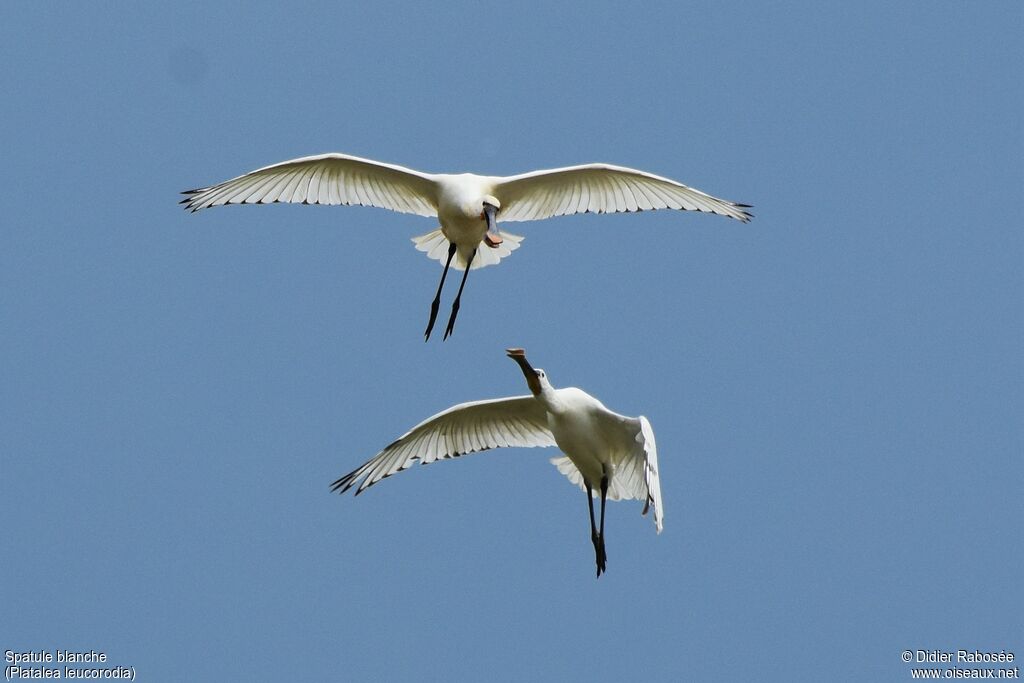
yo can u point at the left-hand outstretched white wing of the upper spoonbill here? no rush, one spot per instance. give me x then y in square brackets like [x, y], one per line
[332, 180]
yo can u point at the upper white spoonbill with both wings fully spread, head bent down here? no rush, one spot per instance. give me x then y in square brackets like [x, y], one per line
[467, 206]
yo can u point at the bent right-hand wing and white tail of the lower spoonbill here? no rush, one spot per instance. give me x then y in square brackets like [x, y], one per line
[635, 471]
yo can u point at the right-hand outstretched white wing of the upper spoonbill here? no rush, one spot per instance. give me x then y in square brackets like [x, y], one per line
[602, 189]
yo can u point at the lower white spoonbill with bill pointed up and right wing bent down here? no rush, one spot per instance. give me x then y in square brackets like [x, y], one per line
[607, 454]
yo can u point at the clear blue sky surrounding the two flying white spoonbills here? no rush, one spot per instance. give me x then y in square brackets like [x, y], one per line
[837, 388]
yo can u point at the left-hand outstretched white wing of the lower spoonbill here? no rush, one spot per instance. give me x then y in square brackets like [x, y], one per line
[479, 425]
